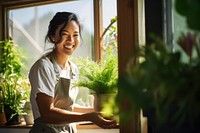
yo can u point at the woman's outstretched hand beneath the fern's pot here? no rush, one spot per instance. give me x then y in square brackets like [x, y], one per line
[97, 119]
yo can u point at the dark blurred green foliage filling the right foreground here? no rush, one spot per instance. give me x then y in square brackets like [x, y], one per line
[166, 87]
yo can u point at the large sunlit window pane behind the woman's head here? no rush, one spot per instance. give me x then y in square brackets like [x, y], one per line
[28, 28]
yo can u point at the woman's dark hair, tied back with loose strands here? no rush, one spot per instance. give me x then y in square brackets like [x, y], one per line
[58, 19]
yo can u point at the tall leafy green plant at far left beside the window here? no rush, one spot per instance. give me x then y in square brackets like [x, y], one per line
[12, 92]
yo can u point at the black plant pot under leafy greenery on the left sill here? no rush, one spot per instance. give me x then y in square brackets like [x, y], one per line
[12, 117]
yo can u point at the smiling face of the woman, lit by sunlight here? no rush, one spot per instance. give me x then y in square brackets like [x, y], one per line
[70, 38]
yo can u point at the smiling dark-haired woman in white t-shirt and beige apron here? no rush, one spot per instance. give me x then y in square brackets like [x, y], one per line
[51, 77]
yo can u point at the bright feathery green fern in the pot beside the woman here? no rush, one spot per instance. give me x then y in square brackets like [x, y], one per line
[99, 77]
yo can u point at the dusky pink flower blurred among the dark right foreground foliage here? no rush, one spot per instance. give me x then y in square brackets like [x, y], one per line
[187, 42]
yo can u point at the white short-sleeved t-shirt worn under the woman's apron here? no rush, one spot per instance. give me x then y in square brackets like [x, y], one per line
[43, 79]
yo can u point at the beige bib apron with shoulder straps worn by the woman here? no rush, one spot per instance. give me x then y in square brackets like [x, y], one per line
[63, 99]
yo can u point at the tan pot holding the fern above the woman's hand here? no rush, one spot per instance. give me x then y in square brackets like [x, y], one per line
[101, 99]
